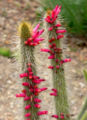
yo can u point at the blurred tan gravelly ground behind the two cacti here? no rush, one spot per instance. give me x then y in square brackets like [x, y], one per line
[11, 13]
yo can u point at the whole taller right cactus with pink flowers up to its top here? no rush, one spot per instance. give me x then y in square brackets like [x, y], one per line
[53, 34]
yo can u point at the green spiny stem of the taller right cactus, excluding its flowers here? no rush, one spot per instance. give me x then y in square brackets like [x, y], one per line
[61, 101]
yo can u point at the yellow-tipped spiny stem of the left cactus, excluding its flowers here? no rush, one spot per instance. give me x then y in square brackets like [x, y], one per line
[27, 56]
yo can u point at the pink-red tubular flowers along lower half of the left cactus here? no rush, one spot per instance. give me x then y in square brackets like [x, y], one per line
[34, 90]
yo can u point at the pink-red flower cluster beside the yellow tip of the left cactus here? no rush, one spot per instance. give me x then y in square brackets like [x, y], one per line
[34, 39]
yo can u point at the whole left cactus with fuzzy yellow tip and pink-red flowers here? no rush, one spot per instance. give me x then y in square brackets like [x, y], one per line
[29, 39]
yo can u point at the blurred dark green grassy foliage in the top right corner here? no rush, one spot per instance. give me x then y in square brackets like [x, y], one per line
[74, 13]
